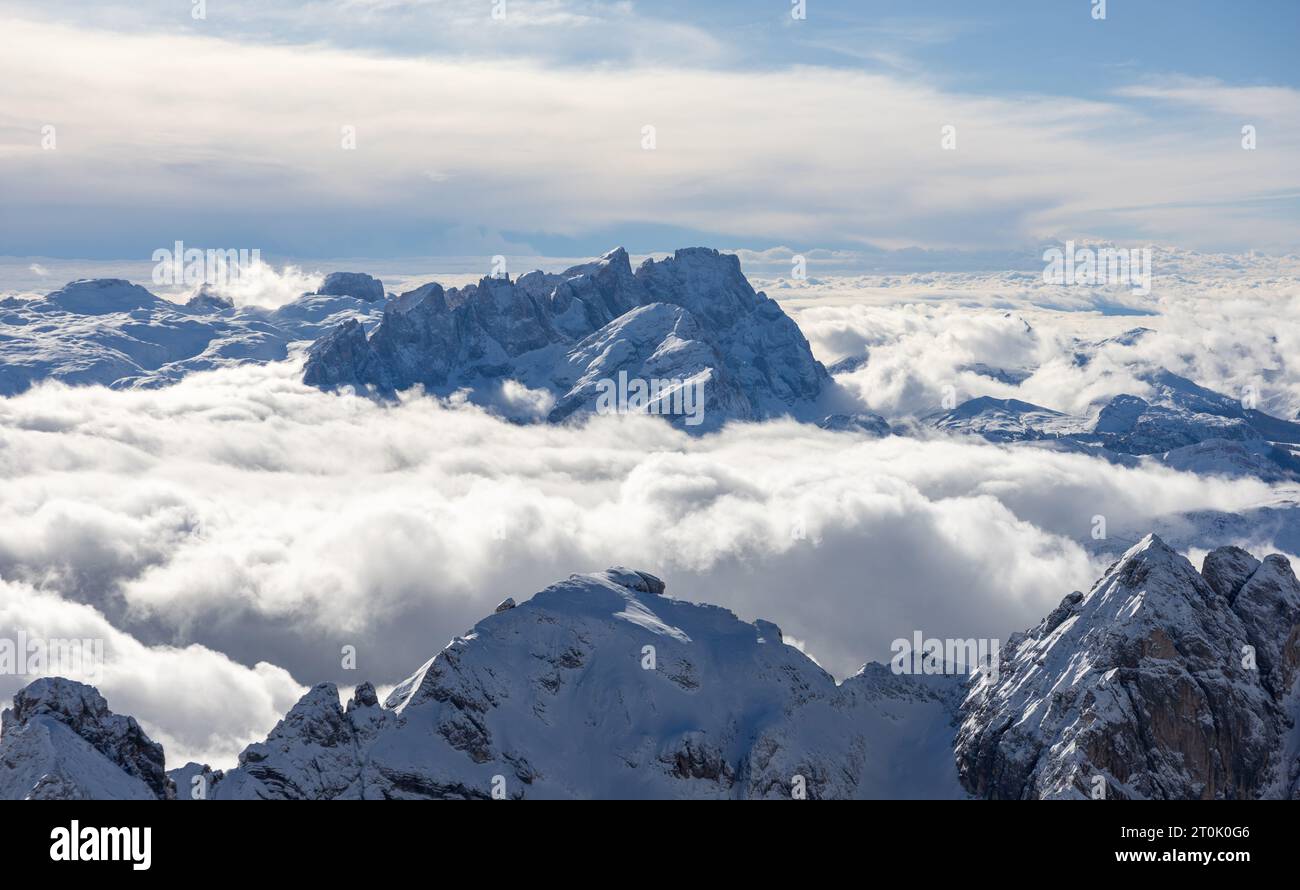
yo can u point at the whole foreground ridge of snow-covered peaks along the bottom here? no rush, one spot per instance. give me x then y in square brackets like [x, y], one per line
[1160, 683]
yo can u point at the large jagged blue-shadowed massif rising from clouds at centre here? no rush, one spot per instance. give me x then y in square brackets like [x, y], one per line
[692, 319]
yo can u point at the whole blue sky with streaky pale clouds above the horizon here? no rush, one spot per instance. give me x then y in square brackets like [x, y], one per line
[125, 128]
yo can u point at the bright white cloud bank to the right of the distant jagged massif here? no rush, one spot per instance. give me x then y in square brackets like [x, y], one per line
[1227, 323]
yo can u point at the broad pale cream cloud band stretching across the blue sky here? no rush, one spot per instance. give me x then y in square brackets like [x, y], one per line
[803, 154]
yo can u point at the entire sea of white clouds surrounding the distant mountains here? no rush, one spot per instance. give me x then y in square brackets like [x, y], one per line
[229, 536]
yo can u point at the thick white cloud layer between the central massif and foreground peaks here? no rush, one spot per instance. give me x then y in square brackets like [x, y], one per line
[276, 524]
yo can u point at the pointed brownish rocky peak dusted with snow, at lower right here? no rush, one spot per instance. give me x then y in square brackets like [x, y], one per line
[1160, 683]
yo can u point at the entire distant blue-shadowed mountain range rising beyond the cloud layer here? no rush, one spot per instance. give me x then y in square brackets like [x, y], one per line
[690, 322]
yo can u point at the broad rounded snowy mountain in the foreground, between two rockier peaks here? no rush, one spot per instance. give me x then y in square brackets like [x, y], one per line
[561, 697]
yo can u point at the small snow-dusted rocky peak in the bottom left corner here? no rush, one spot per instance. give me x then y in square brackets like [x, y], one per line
[60, 741]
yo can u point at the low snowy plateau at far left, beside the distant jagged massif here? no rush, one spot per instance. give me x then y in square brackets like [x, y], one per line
[114, 333]
